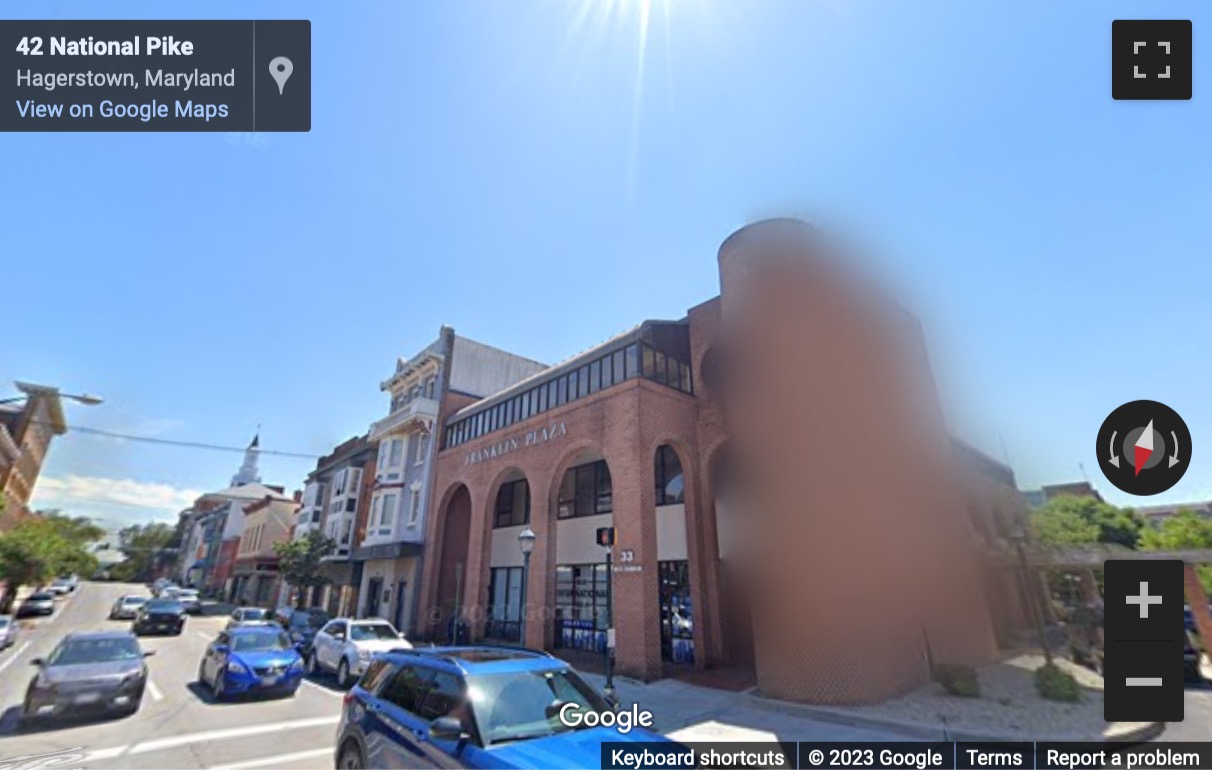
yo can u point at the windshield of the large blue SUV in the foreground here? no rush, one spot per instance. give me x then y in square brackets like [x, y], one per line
[525, 705]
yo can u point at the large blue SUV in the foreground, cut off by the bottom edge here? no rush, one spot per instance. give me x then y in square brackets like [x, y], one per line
[473, 708]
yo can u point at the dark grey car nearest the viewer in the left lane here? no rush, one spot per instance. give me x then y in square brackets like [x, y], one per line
[89, 674]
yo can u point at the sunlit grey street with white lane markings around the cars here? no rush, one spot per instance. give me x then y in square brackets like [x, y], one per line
[179, 726]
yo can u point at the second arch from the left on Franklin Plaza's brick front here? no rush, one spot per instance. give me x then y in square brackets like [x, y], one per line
[510, 516]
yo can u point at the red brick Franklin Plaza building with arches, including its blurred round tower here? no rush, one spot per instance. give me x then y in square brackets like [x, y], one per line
[792, 419]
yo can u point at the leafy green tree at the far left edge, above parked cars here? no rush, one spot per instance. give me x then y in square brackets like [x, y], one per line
[44, 546]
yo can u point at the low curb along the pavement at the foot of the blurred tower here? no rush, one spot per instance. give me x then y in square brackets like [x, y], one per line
[1140, 734]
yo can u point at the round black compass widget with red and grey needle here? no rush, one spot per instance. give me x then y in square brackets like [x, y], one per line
[1145, 448]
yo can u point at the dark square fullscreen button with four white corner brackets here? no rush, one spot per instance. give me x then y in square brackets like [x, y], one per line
[1152, 60]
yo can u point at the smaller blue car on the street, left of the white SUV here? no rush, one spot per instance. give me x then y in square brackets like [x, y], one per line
[251, 660]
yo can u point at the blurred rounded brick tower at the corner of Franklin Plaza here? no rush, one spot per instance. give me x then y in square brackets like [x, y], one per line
[859, 550]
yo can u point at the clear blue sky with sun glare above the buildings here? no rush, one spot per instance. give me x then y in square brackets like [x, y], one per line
[544, 175]
